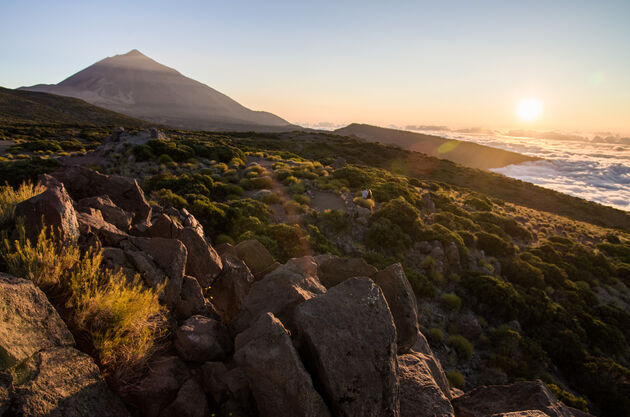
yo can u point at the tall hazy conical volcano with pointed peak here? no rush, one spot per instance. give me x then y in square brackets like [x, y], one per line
[136, 85]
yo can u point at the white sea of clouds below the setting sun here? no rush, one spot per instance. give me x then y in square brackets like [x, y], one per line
[595, 167]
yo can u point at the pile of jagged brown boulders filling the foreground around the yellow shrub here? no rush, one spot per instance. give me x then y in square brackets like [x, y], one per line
[317, 336]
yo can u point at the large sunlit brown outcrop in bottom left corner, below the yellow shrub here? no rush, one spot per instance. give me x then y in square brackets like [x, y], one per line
[41, 373]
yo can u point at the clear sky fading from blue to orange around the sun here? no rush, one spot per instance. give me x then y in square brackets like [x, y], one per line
[455, 63]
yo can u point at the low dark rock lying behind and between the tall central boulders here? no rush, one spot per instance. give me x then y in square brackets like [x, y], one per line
[333, 270]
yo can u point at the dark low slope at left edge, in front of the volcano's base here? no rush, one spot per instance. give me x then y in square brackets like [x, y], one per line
[30, 107]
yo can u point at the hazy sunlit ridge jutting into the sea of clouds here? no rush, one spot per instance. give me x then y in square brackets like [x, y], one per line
[465, 153]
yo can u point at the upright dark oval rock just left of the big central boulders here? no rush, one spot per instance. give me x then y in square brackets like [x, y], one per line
[231, 287]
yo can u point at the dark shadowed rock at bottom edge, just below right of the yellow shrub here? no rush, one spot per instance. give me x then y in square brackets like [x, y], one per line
[160, 386]
